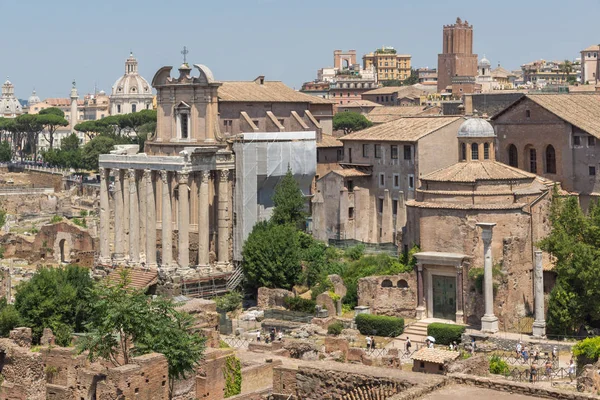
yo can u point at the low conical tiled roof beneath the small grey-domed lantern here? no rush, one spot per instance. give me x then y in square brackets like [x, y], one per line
[473, 171]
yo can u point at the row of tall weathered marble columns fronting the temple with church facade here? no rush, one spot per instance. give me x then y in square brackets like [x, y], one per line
[135, 210]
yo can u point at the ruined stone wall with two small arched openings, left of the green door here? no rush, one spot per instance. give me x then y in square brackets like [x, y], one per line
[392, 295]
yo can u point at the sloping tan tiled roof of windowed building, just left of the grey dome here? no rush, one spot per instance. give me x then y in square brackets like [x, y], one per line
[407, 129]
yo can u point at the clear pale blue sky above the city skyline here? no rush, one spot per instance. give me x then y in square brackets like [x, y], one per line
[47, 44]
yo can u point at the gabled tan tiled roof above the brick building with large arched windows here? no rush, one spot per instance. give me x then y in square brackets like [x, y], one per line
[580, 110]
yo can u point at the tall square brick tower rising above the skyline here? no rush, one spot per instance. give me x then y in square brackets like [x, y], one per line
[457, 65]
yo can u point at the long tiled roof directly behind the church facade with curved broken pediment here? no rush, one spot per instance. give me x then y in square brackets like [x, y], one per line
[269, 91]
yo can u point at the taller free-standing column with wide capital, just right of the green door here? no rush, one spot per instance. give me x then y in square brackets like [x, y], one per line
[489, 322]
